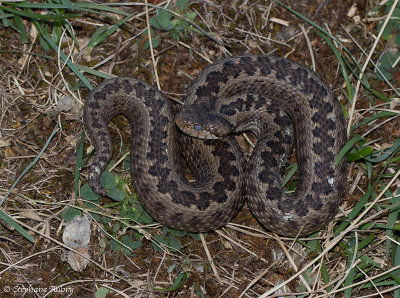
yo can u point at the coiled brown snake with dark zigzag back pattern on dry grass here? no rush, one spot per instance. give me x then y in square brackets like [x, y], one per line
[187, 167]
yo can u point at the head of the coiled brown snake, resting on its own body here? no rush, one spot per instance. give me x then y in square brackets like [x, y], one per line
[199, 122]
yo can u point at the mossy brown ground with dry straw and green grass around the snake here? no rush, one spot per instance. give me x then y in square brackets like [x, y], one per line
[354, 256]
